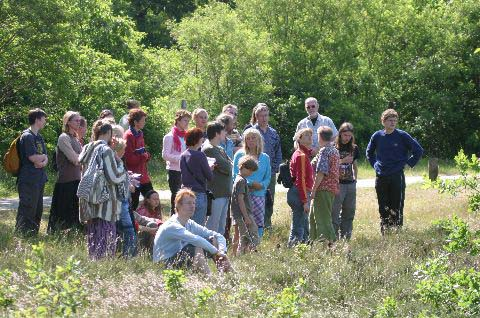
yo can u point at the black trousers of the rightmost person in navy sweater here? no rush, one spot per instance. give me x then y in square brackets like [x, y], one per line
[391, 197]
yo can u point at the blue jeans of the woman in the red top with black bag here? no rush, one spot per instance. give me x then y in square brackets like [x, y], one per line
[299, 230]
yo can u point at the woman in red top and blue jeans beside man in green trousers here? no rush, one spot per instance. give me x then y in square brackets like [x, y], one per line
[298, 196]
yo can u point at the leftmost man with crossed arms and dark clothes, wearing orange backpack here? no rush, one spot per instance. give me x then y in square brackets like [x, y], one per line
[32, 176]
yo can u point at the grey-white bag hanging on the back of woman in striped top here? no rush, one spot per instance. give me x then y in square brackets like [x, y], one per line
[93, 186]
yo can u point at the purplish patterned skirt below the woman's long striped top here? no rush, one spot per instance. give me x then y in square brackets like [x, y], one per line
[101, 238]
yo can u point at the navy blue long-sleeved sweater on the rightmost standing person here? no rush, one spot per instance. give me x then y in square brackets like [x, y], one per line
[388, 153]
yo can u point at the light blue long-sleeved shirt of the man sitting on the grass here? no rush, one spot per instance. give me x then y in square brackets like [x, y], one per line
[172, 236]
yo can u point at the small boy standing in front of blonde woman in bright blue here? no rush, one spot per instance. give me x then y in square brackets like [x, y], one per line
[241, 207]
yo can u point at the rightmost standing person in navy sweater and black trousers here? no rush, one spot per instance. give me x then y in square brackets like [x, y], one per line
[388, 151]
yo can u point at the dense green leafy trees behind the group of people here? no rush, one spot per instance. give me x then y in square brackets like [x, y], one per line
[357, 57]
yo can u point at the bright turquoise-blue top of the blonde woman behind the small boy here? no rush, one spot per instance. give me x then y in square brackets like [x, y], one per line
[262, 175]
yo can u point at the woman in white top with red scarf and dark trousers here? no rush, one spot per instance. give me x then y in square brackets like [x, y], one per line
[173, 146]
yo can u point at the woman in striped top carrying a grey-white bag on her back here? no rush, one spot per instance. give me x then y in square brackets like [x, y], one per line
[99, 206]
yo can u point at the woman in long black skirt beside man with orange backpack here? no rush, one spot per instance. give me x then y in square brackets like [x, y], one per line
[64, 209]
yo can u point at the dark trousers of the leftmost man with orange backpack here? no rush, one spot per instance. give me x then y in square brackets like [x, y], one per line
[30, 207]
